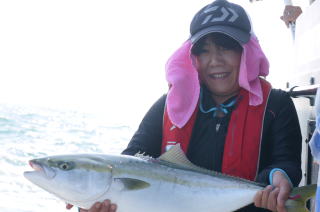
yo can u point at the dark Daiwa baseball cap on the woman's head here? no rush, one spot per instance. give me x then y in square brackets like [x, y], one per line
[224, 17]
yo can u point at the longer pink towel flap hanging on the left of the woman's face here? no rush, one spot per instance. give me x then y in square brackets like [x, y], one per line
[184, 91]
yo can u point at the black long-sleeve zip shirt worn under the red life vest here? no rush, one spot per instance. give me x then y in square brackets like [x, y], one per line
[280, 145]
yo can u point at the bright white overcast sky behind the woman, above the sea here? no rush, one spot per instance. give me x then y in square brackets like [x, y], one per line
[109, 55]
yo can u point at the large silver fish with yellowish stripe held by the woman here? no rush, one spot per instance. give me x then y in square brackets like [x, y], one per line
[168, 183]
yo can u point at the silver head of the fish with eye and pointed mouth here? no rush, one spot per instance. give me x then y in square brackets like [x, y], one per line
[76, 179]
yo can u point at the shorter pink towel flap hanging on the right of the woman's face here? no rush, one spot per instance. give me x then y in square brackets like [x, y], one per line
[253, 64]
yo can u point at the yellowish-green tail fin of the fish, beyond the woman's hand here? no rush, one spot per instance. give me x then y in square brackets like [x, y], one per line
[300, 195]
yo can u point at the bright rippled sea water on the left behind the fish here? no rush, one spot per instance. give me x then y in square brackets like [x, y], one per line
[30, 132]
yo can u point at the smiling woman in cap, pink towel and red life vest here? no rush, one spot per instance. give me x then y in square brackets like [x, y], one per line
[223, 113]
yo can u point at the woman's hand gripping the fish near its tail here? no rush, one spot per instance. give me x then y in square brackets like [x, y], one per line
[274, 197]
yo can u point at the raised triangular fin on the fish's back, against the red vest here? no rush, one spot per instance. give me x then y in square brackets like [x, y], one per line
[175, 155]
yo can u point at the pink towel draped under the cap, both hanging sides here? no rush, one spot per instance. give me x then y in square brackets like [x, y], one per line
[182, 76]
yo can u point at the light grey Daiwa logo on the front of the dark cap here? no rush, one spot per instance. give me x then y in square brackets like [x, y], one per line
[225, 14]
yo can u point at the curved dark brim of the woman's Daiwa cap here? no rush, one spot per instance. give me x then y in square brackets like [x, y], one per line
[237, 34]
